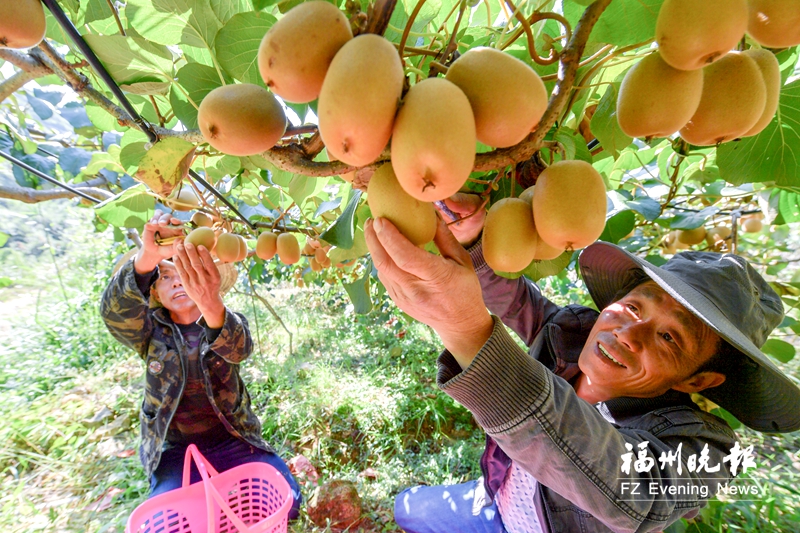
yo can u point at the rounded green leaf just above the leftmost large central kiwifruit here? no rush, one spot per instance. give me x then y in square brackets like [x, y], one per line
[237, 45]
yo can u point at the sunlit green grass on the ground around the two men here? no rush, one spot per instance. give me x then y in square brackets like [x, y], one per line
[357, 392]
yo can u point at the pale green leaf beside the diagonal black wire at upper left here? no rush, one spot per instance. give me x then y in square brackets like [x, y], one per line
[130, 59]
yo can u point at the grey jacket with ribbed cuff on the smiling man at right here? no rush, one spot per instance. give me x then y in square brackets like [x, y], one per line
[533, 416]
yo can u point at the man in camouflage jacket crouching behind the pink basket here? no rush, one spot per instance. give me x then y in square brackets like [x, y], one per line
[172, 314]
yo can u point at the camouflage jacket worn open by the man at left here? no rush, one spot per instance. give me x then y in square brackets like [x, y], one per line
[156, 338]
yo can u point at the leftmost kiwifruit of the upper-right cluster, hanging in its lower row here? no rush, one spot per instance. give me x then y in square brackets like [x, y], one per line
[656, 100]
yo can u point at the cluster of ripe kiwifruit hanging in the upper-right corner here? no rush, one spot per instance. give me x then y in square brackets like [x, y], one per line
[694, 83]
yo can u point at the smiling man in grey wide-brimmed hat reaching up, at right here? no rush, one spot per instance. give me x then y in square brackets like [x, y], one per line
[577, 427]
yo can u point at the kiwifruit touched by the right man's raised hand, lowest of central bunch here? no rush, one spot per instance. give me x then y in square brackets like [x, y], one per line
[386, 198]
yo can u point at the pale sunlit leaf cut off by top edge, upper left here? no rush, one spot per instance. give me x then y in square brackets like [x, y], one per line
[191, 22]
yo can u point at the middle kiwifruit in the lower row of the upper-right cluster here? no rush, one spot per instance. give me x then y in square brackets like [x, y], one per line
[734, 98]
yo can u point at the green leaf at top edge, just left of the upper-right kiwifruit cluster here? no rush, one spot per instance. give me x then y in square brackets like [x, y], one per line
[623, 23]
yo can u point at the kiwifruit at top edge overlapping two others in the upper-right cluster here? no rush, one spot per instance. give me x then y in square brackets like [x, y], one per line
[692, 34]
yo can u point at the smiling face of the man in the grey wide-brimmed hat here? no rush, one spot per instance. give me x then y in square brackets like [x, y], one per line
[645, 344]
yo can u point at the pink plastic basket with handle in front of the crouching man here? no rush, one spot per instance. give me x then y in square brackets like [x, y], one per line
[250, 498]
